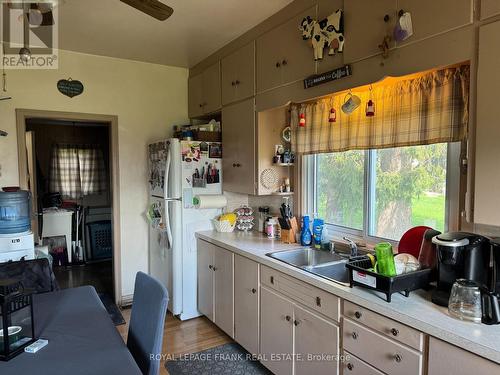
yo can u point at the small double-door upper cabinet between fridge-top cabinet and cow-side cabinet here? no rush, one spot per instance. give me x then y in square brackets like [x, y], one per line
[238, 74]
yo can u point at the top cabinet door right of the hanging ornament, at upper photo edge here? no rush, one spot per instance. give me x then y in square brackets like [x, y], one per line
[449, 14]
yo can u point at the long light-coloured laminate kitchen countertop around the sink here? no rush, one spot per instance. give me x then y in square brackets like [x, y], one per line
[416, 311]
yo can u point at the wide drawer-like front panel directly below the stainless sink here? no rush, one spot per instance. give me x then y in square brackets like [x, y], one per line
[308, 295]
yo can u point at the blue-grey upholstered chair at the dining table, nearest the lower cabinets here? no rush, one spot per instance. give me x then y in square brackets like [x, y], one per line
[147, 320]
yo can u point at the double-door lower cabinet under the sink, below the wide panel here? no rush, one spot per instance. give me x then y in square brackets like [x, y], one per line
[293, 337]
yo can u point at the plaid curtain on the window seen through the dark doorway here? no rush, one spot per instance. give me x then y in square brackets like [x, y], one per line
[77, 171]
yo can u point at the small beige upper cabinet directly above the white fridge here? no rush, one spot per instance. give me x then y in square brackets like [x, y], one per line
[205, 91]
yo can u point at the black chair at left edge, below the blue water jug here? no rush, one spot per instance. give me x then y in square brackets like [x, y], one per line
[36, 275]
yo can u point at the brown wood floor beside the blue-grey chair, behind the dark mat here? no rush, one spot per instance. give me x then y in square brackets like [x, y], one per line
[180, 337]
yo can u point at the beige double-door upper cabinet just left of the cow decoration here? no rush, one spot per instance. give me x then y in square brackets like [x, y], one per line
[283, 56]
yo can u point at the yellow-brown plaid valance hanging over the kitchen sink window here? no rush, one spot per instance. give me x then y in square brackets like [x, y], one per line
[430, 108]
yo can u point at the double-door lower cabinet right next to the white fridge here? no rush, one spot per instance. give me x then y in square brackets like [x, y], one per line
[215, 286]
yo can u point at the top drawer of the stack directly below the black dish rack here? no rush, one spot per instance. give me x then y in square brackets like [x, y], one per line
[385, 326]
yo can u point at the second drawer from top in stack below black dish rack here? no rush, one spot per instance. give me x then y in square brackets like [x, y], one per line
[379, 351]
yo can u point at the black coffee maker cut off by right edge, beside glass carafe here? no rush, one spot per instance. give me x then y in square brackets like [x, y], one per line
[490, 295]
